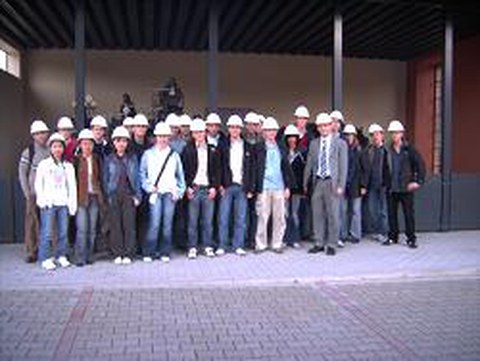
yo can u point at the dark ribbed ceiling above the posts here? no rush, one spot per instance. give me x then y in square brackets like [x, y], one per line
[391, 29]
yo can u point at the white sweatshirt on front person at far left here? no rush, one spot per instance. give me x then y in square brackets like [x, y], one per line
[55, 185]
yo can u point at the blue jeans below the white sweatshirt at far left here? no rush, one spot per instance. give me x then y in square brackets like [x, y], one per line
[60, 214]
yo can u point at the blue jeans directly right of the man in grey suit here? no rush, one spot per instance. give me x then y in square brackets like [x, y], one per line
[351, 218]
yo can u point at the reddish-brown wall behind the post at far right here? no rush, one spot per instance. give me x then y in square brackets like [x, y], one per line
[466, 97]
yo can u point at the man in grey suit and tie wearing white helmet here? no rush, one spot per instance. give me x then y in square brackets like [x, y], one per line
[325, 179]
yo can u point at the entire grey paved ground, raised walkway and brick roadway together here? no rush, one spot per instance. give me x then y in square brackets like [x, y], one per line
[368, 303]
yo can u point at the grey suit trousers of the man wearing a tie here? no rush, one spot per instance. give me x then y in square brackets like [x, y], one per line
[325, 213]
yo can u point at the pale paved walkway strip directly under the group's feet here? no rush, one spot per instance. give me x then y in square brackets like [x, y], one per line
[439, 255]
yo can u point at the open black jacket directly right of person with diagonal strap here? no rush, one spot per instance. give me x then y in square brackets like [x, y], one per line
[190, 164]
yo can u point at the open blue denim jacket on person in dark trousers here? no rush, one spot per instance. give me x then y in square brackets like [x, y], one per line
[111, 171]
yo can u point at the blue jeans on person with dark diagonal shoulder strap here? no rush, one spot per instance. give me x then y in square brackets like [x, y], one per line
[161, 212]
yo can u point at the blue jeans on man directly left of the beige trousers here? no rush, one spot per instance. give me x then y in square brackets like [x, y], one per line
[234, 197]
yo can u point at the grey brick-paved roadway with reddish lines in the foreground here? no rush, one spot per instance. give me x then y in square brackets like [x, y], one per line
[417, 320]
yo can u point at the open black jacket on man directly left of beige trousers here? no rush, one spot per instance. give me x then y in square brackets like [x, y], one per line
[248, 176]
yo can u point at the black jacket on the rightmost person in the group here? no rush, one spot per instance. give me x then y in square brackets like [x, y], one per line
[412, 167]
